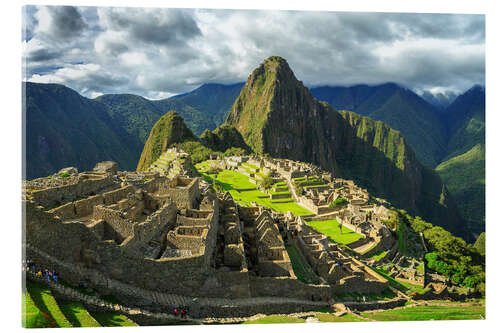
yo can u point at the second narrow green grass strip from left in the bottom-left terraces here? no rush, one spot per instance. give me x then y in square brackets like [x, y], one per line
[45, 302]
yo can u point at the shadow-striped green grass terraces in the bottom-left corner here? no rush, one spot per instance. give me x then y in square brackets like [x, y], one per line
[42, 309]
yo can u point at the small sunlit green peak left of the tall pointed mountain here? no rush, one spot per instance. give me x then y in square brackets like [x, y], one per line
[168, 130]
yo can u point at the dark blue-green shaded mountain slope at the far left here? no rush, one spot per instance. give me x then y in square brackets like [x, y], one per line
[64, 128]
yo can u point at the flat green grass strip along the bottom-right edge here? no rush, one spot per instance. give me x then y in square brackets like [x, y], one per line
[430, 312]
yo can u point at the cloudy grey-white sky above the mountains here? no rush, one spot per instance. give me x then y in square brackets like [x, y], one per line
[157, 53]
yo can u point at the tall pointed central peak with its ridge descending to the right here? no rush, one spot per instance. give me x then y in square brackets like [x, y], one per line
[277, 114]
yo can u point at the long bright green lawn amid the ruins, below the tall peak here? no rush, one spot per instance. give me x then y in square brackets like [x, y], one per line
[244, 192]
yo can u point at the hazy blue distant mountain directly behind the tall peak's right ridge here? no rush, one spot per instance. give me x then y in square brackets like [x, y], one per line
[398, 107]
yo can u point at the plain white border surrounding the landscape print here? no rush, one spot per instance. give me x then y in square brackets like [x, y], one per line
[11, 148]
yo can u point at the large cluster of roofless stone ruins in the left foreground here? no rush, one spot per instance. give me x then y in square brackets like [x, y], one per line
[175, 235]
